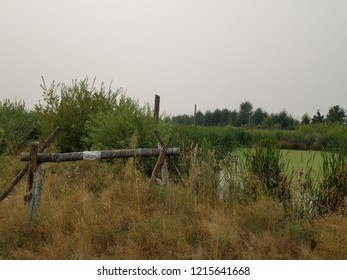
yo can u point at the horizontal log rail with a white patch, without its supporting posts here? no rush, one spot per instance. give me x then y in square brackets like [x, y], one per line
[106, 154]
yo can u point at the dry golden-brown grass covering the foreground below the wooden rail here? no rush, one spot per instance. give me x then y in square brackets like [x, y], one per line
[97, 210]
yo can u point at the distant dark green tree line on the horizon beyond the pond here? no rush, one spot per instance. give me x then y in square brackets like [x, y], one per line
[246, 116]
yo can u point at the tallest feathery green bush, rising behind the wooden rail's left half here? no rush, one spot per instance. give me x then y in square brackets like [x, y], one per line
[72, 109]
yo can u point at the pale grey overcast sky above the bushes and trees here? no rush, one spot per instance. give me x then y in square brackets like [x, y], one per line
[277, 54]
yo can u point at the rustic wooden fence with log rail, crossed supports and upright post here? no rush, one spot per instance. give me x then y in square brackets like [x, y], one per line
[36, 159]
